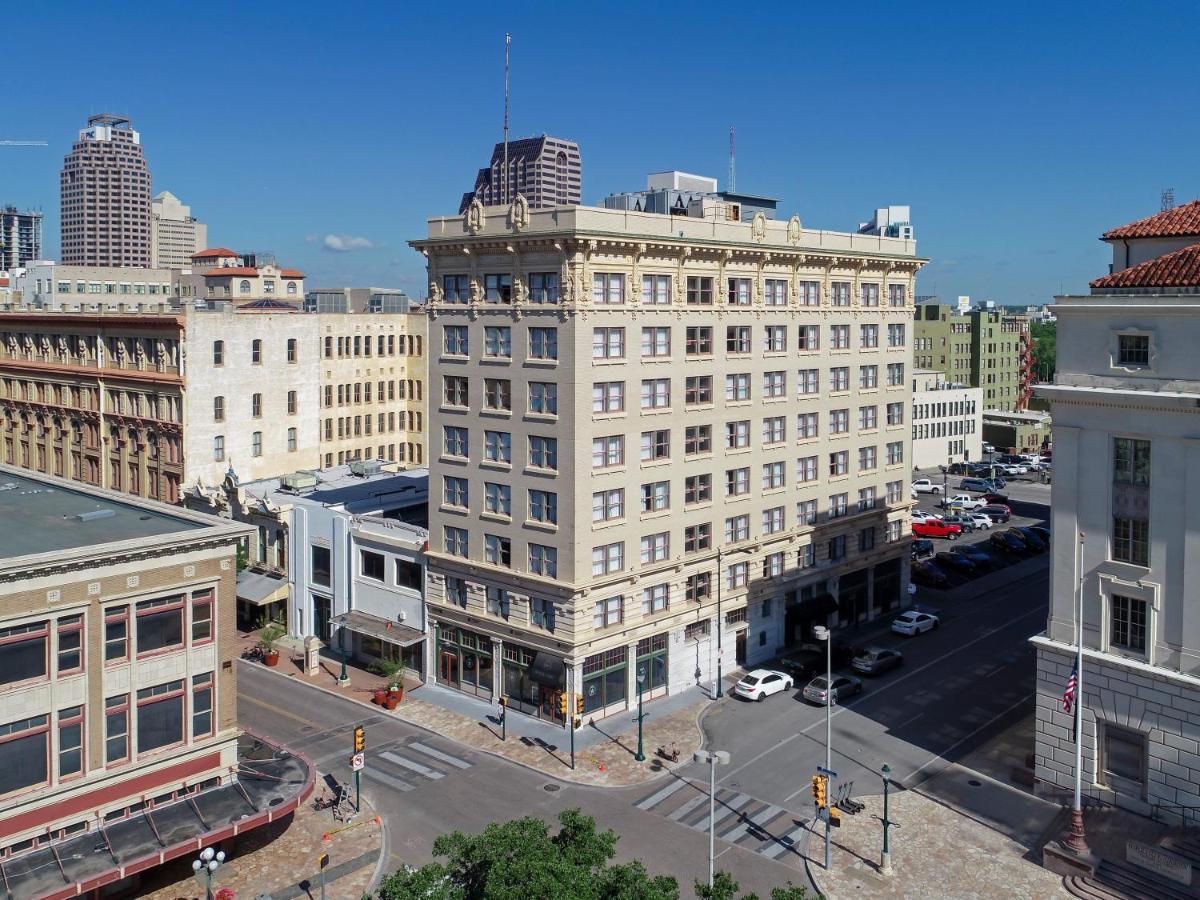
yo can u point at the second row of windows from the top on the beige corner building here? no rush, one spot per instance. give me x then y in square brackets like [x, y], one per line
[609, 344]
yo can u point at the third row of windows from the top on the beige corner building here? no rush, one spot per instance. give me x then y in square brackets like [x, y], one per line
[609, 398]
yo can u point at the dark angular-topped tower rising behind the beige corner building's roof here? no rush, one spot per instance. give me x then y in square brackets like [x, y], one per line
[545, 171]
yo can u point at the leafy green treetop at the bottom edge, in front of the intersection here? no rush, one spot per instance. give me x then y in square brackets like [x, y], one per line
[521, 860]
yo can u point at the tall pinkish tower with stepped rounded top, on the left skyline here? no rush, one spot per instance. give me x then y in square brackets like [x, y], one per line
[106, 197]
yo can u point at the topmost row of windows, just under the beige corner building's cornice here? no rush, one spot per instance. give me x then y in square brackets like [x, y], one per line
[610, 289]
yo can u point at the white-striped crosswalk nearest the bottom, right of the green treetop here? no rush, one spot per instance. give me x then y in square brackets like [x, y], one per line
[739, 819]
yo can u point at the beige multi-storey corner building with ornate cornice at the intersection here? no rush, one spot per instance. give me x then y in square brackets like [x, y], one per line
[655, 436]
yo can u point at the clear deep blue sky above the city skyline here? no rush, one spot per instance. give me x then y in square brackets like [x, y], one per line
[1017, 133]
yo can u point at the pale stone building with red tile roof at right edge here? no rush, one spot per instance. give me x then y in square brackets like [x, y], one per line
[1126, 409]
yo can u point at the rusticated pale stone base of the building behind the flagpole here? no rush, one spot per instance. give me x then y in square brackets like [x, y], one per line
[1141, 734]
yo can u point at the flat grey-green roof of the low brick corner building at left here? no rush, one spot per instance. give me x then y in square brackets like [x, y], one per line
[46, 517]
